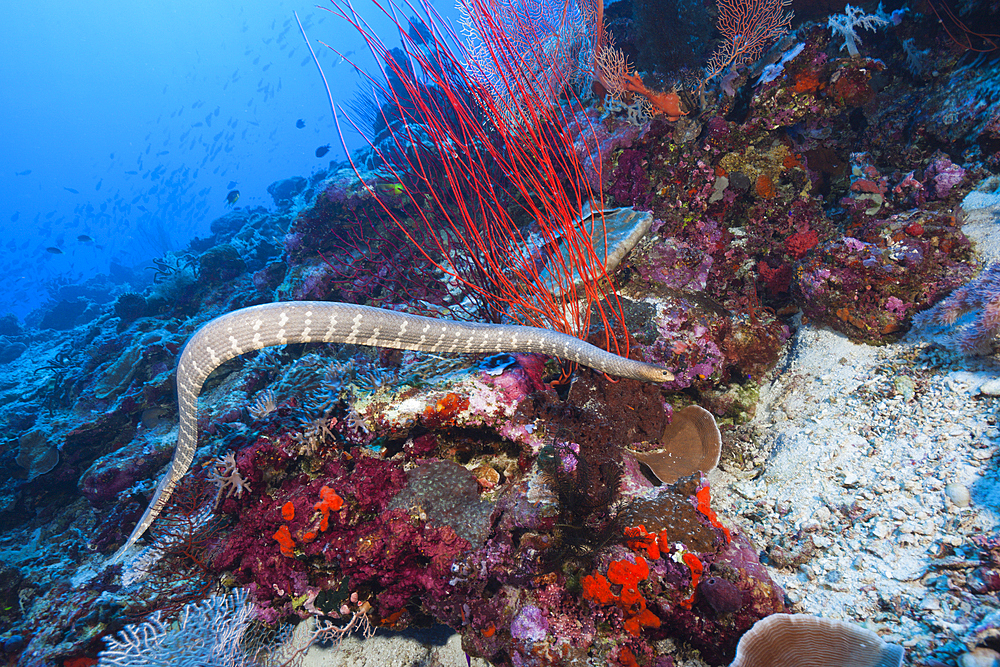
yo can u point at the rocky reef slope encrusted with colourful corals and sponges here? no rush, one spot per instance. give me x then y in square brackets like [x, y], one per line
[502, 496]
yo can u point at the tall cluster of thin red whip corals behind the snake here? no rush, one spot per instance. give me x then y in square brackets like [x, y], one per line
[489, 168]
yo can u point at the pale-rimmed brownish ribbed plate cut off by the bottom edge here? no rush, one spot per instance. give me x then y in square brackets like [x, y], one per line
[799, 641]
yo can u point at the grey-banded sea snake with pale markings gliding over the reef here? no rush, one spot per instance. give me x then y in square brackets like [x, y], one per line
[281, 323]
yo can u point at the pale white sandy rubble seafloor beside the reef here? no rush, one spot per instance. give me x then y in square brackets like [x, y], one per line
[862, 479]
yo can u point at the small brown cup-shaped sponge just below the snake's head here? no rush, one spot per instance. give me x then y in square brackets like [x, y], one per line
[691, 443]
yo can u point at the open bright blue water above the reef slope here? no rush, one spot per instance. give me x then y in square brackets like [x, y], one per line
[130, 122]
